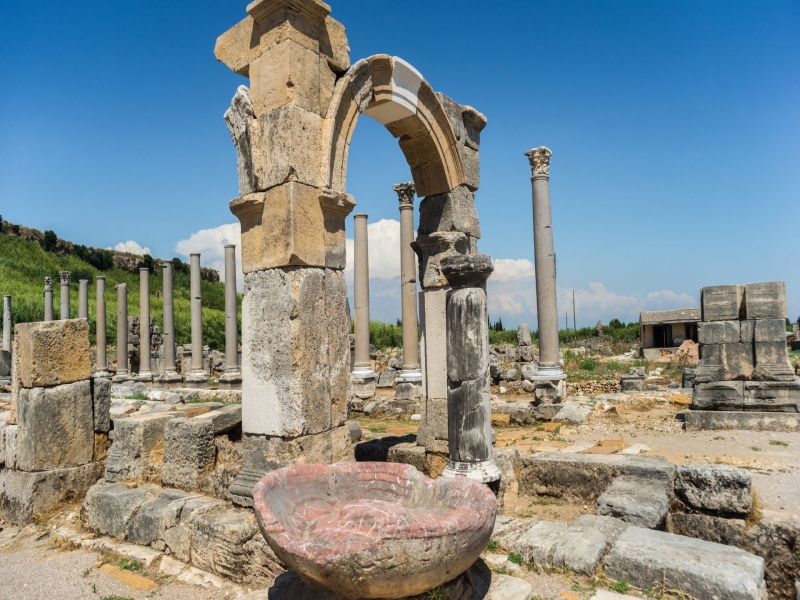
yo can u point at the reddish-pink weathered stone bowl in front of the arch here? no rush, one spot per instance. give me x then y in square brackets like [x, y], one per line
[374, 530]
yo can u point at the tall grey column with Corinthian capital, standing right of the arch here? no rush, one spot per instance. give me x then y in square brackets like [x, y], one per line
[545, 262]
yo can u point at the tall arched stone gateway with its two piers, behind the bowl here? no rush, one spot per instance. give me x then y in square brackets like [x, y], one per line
[292, 130]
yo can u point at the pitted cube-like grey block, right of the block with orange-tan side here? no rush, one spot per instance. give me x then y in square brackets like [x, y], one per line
[189, 452]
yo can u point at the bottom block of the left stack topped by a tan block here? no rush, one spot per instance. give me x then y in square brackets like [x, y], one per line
[25, 496]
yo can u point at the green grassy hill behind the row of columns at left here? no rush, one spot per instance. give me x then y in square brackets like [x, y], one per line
[24, 265]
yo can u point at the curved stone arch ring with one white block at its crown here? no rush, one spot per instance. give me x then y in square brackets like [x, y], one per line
[395, 94]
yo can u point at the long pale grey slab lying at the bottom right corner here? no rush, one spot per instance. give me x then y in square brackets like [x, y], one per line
[651, 559]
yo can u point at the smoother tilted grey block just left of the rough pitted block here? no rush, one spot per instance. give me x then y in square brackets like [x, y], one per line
[635, 500]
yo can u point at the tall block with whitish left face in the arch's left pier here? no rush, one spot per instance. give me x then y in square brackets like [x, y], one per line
[298, 381]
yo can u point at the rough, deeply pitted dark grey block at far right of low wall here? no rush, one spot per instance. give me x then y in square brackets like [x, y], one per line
[716, 488]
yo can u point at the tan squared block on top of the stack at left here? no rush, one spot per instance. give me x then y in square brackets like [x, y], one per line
[52, 353]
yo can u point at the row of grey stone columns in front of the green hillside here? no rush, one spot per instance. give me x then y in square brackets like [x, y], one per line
[197, 373]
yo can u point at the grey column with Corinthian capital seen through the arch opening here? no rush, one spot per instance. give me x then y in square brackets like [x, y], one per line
[411, 372]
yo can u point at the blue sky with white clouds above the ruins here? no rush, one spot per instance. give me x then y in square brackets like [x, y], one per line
[674, 125]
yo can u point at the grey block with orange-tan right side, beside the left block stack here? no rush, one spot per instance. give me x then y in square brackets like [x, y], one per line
[138, 443]
